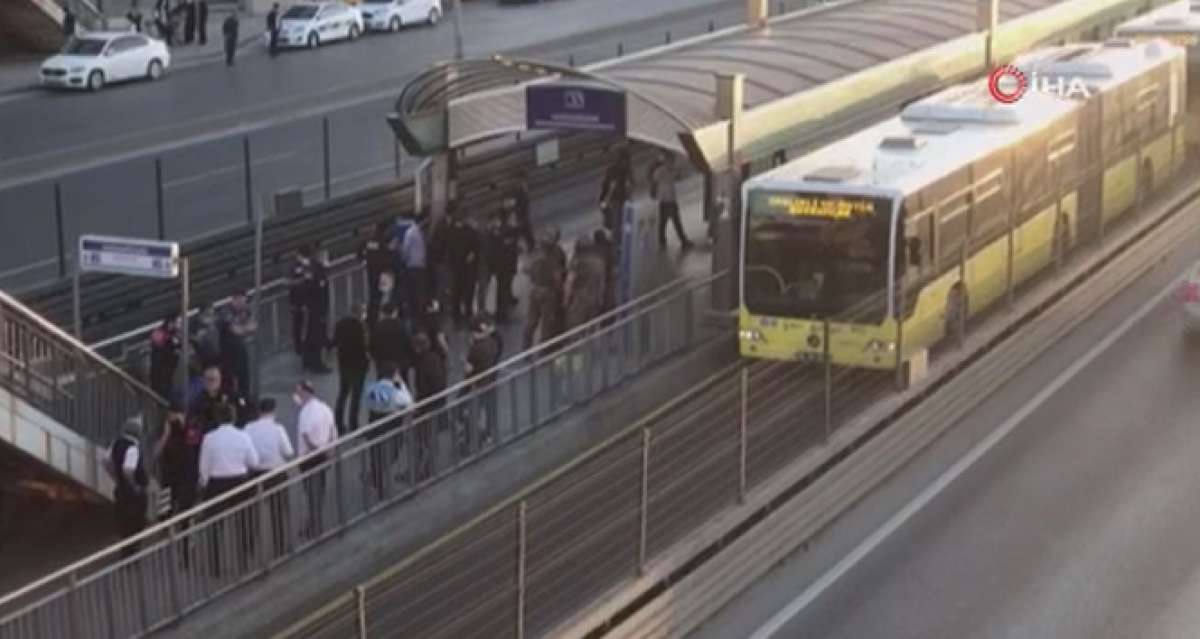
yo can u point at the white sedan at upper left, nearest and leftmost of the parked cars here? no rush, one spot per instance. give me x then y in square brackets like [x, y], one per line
[93, 61]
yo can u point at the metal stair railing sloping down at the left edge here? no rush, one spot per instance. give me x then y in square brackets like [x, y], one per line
[56, 374]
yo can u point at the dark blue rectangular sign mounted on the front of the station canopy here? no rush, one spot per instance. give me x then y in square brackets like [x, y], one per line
[580, 108]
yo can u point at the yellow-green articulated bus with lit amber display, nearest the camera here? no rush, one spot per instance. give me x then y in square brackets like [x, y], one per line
[892, 238]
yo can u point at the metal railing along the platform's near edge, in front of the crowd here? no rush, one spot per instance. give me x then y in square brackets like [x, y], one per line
[202, 554]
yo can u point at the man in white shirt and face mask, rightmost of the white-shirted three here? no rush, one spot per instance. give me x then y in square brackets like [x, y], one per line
[316, 433]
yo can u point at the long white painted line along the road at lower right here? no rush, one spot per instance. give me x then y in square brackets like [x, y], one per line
[932, 492]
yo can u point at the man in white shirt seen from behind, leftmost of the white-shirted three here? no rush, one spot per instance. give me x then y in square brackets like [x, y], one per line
[227, 457]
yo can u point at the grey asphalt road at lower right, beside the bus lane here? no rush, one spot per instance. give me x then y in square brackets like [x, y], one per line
[1079, 524]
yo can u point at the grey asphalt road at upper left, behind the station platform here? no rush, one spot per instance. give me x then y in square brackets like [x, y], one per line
[101, 148]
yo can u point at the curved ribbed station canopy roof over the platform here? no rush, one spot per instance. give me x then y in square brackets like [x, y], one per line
[671, 92]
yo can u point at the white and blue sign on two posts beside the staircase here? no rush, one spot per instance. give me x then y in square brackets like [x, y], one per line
[129, 256]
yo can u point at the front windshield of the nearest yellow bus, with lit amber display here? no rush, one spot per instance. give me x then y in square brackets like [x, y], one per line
[817, 255]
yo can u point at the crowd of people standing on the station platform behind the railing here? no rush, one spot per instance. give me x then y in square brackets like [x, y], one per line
[421, 280]
